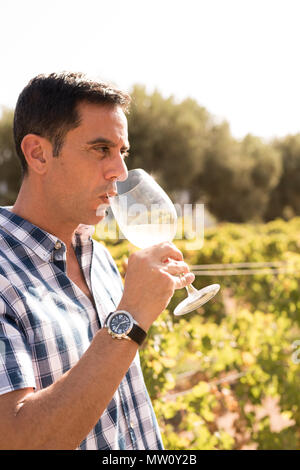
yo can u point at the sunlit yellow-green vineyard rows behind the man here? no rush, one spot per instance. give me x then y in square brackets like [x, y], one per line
[228, 375]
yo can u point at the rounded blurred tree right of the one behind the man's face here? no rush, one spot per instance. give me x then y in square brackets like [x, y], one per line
[237, 177]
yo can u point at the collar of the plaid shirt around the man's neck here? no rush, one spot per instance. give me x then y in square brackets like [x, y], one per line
[36, 239]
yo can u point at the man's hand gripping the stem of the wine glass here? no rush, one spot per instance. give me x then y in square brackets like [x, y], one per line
[152, 276]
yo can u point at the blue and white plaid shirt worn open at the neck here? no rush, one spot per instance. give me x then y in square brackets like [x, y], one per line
[47, 323]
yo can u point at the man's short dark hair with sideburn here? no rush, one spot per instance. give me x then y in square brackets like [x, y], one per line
[48, 106]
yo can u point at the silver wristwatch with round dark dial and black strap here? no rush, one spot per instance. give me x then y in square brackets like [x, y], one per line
[122, 325]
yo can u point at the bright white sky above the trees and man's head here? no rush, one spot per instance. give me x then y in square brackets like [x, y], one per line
[238, 58]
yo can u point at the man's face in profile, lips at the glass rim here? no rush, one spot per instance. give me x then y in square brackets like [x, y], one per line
[91, 159]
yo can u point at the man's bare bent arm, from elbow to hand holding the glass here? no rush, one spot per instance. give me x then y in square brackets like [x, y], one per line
[61, 415]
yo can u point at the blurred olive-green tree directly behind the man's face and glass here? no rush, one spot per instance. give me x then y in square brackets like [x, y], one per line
[167, 138]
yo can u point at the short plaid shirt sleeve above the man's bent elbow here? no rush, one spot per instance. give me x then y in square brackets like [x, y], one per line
[16, 368]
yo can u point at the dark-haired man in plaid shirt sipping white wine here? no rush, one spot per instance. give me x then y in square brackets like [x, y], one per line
[65, 381]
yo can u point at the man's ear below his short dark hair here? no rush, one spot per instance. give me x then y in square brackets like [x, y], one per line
[36, 152]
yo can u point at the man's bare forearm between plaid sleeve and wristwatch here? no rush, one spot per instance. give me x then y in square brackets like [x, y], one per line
[61, 415]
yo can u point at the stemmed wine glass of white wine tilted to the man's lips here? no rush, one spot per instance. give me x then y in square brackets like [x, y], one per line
[146, 216]
